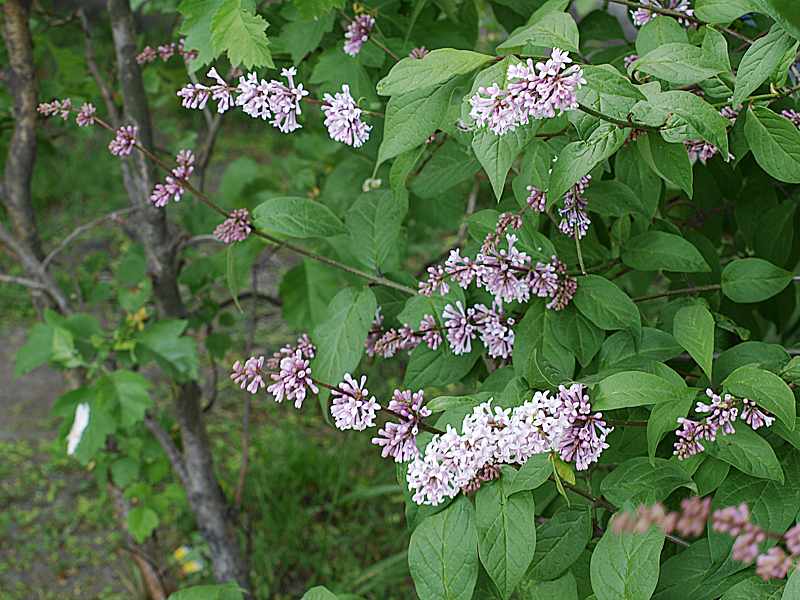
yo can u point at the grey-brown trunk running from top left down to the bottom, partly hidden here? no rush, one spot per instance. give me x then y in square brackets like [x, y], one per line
[206, 499]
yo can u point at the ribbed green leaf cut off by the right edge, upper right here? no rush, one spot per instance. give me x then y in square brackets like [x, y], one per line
[775, 143]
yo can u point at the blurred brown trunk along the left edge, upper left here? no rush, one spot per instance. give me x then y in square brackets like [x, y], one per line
[22, 148]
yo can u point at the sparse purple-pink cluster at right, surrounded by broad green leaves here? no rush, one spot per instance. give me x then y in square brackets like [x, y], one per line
[722, 412]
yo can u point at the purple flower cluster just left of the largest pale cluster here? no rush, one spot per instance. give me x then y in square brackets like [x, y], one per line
[398, 440]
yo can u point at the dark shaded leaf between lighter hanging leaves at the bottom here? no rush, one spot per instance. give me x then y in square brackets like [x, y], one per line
[560, 541]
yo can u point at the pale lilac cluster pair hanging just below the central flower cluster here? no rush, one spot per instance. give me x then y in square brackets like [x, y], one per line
[491, 324]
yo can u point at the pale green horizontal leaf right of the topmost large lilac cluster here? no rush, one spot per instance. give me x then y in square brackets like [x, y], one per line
[678, 63]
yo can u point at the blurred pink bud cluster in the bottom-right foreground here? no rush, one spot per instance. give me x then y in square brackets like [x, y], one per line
[736, 521]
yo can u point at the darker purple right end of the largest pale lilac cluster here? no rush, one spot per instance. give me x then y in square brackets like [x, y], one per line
[585, 439]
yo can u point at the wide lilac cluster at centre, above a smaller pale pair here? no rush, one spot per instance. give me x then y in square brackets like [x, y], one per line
[508, 274]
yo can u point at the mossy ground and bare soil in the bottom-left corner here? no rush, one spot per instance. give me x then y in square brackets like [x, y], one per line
[57, 537]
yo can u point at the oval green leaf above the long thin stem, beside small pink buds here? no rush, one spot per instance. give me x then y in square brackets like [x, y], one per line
[297, 217]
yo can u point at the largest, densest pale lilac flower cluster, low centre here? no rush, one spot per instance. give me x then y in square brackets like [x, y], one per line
[491, 436]
